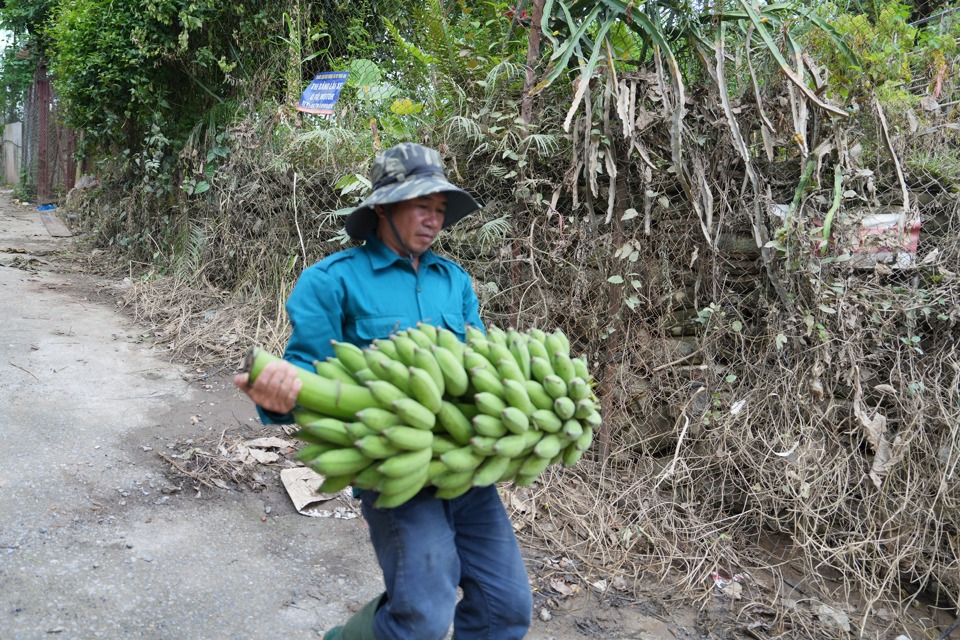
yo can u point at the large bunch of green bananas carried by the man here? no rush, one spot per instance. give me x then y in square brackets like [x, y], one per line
[424, 409]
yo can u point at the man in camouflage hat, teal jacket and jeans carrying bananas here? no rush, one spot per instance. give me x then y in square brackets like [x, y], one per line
[427, 547]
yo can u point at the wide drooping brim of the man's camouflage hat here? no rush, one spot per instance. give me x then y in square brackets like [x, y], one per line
[362, 221]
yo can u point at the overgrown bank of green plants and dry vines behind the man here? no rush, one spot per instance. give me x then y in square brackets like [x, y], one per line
[688, 196]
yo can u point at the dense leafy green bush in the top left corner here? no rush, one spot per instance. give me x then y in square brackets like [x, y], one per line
[125, 67]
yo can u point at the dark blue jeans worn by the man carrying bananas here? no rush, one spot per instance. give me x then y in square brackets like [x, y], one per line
[428, 547]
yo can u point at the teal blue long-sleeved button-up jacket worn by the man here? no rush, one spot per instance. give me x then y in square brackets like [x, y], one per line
[368, 292]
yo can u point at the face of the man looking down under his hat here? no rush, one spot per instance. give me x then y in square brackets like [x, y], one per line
[418, 221]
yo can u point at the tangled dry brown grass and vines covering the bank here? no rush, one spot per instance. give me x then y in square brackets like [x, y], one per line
[745, 400]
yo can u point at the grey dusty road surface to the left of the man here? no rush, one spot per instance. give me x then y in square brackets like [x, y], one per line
[98, 539]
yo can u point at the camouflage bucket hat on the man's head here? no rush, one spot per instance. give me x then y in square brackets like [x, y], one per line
[406, 171]
